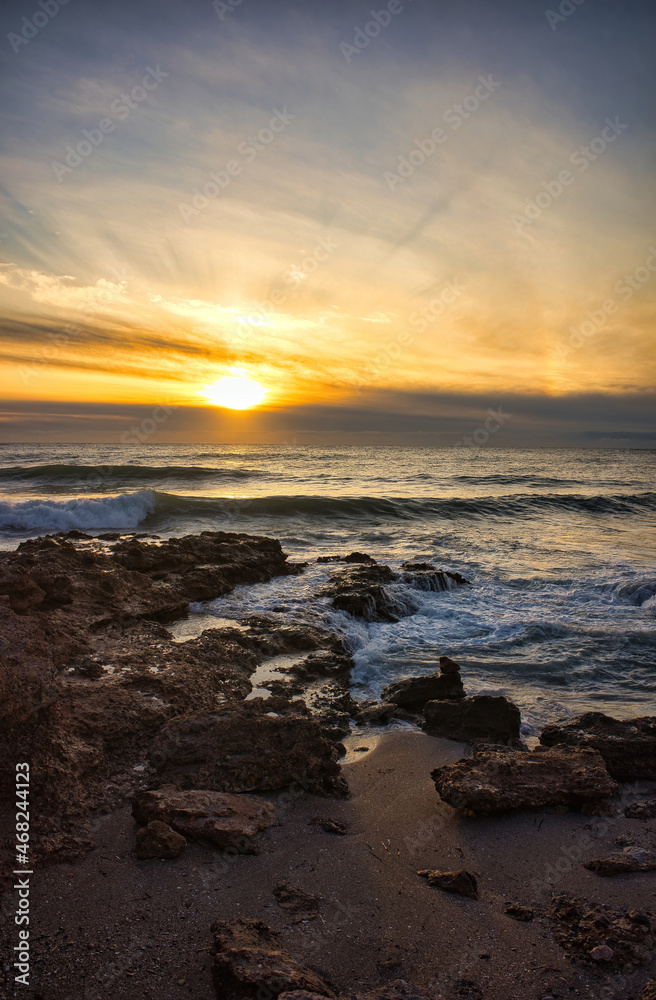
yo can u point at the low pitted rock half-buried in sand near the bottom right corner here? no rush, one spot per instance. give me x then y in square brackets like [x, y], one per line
[581, 927]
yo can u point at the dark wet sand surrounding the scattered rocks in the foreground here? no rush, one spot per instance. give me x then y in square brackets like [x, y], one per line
[108, 925]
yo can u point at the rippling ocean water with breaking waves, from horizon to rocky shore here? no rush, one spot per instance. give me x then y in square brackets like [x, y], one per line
[560, 547]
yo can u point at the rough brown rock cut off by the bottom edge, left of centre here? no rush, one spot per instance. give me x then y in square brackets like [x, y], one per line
[250, 961]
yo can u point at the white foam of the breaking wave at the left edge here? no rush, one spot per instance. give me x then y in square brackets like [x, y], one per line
[118, 513]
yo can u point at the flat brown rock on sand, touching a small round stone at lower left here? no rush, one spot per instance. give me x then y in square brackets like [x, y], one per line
[232, 822]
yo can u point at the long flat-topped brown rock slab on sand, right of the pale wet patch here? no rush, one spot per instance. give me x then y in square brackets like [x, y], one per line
[496, 781]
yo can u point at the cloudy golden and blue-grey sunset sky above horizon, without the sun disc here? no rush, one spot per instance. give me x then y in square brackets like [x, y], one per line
[390, 237]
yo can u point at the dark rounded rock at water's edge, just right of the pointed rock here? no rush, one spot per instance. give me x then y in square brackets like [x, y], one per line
[481, 717]
